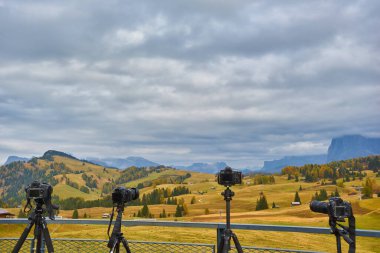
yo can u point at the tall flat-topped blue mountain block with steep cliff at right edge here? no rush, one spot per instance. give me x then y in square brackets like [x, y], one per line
[352, 146]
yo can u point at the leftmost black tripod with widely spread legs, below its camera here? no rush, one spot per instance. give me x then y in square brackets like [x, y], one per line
[41, 233]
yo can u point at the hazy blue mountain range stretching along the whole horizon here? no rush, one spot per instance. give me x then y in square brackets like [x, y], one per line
[341, 148]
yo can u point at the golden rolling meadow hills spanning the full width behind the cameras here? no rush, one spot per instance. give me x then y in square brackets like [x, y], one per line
[199, 193]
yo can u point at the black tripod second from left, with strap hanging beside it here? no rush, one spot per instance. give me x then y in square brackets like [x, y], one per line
[117, 235]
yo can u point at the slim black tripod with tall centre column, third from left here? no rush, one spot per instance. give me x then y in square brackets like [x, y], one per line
[225, 244]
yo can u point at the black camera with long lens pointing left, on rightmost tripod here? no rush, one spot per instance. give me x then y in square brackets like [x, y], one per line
[336, 208]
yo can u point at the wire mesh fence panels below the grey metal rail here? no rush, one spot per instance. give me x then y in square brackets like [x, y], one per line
[95, 246]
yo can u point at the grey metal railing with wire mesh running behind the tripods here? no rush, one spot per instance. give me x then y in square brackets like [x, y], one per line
[85, 245]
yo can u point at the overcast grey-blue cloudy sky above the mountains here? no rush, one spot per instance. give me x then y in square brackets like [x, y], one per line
[187, 81]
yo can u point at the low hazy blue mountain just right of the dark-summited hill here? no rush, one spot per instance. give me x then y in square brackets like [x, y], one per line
[122, 163]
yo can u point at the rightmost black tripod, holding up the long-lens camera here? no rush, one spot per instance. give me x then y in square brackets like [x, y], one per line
[348, 233]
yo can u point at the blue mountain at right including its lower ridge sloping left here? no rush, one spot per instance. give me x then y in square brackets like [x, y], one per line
[341, 148]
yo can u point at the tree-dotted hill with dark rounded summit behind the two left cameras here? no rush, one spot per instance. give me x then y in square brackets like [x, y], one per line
[72, 177]
